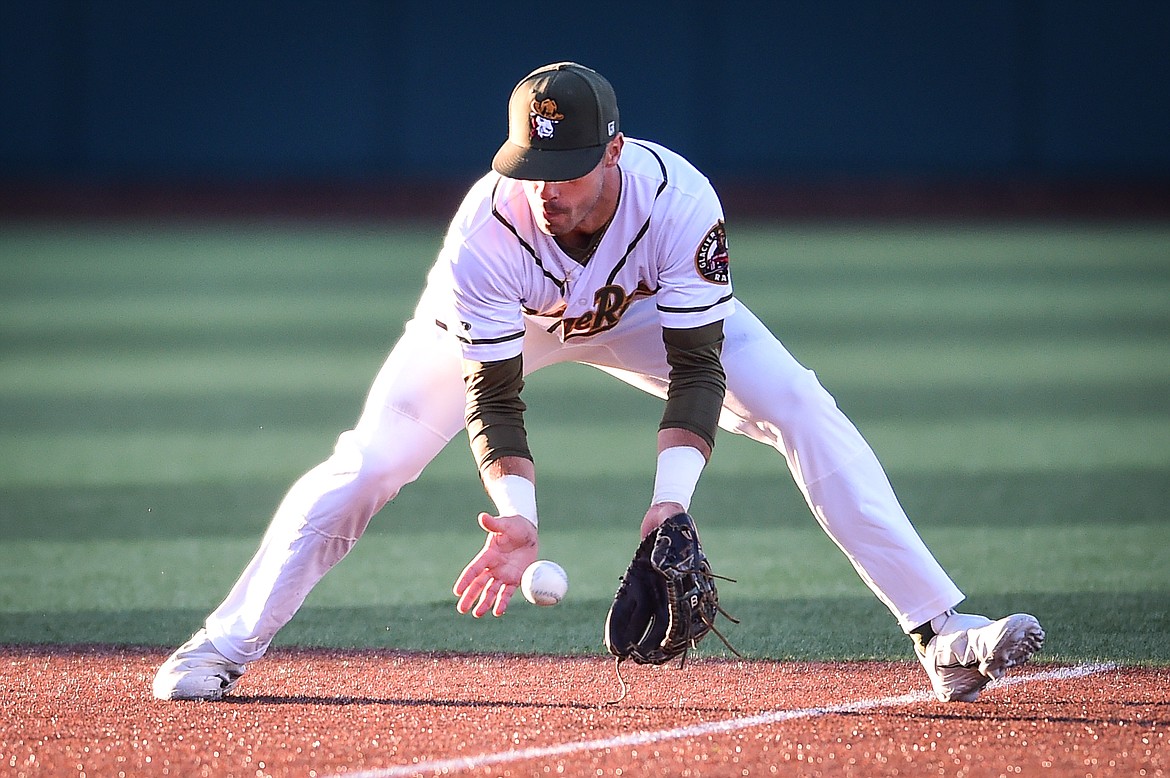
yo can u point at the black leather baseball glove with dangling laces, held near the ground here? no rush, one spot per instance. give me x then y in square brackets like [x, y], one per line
[667, 601]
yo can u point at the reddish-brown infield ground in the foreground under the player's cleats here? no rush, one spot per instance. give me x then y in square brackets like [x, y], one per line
[88, 712]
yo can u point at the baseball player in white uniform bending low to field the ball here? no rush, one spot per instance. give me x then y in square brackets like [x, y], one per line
[584, 245]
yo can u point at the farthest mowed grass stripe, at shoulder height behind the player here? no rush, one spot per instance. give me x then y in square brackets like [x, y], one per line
[121, 253]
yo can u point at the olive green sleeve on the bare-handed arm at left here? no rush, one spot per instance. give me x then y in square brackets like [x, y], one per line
[495, 412]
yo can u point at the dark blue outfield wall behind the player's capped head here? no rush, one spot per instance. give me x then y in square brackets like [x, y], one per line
[245, 91]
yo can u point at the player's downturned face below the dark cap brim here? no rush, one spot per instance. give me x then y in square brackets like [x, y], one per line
[581, 205]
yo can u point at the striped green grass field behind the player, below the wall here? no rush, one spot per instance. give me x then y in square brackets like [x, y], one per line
[161, 388]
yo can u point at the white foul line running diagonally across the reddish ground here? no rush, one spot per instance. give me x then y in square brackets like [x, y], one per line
[699, 731]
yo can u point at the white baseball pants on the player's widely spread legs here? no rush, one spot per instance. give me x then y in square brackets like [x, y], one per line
[416, 407]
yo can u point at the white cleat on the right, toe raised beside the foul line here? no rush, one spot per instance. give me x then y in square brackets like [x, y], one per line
[972, 651]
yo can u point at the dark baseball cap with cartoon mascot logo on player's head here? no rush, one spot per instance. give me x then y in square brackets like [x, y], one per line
[560, 120]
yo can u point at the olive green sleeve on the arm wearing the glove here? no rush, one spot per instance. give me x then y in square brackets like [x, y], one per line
[698, 382]
